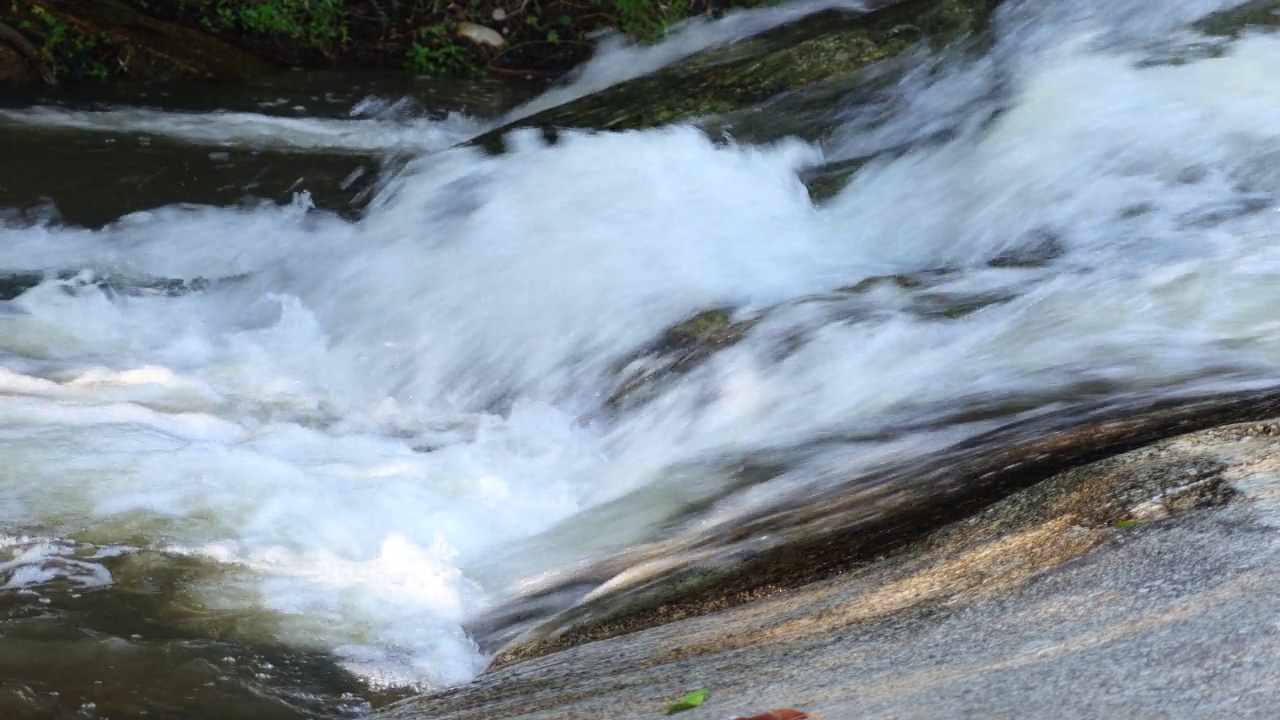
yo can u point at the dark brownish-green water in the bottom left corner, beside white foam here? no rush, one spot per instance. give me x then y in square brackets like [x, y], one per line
[144, 648]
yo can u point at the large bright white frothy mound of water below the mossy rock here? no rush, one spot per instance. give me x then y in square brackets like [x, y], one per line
[670, 226]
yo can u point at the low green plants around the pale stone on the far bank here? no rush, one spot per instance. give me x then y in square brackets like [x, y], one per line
[422, 35]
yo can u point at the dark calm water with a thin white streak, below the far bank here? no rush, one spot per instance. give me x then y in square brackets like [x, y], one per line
[51, 170]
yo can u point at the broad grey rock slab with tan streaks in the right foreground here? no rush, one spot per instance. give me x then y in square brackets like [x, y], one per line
[1130, 586]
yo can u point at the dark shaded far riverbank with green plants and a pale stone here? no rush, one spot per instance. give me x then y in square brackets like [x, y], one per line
[56, 42]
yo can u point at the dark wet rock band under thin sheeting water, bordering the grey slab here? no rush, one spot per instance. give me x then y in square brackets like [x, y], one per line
[834, 526]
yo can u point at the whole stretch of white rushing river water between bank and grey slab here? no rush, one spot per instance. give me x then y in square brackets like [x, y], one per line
[260, 458]
